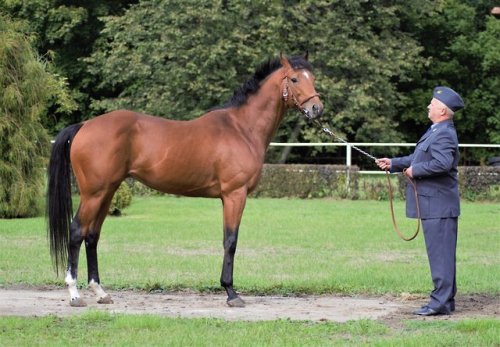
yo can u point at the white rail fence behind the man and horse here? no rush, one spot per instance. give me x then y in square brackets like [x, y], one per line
[349, 148]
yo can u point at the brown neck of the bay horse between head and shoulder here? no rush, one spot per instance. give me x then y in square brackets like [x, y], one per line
[262, 114]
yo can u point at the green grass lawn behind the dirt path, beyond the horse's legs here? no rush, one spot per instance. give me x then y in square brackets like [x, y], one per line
[285, 246]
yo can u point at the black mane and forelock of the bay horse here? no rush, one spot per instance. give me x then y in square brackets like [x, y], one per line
[252, 85]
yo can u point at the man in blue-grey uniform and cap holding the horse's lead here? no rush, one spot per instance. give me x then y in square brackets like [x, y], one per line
[433, 167]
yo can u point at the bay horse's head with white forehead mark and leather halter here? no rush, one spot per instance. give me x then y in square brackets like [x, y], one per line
[298, 88]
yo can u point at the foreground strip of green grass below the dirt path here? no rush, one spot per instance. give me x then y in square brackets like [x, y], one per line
[104, 329]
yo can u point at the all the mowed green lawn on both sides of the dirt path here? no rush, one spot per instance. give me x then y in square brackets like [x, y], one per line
[286, 246]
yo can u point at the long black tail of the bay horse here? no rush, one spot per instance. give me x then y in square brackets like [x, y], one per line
[59, 207]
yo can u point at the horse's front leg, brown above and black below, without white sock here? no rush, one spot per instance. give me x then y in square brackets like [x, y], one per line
[234, 203]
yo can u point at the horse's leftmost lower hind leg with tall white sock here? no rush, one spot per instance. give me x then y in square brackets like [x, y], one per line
[71, 279]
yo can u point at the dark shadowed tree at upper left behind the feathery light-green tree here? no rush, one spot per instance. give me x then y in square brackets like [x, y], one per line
[65, 32]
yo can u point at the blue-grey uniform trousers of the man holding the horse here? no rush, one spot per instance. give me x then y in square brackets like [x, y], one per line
[441, 243]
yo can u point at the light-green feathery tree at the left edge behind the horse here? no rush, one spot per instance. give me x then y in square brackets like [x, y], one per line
[26, 87]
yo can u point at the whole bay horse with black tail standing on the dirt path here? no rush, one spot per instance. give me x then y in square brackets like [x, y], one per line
[218, 155]
